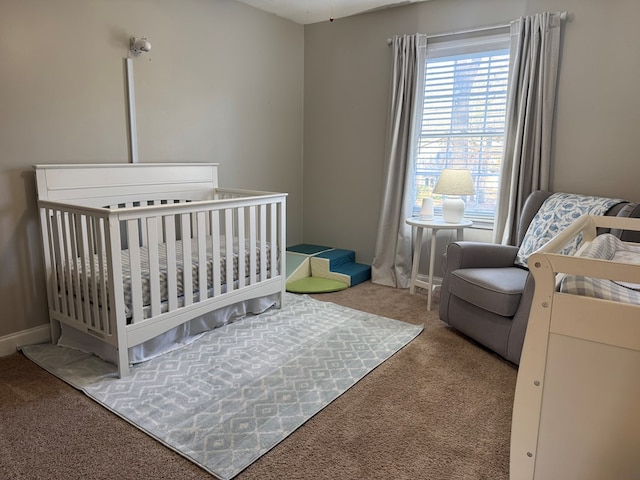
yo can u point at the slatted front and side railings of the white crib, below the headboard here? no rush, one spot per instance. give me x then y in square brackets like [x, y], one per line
[157, 261]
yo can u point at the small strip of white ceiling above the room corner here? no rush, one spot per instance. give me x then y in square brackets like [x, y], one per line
[313, 11]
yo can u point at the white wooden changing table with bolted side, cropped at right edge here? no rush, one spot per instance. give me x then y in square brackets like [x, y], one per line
[577, 402]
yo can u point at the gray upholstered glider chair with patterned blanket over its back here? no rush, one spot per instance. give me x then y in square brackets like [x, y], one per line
[486, 296]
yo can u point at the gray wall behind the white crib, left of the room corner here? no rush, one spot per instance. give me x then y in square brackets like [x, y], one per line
[222, 83]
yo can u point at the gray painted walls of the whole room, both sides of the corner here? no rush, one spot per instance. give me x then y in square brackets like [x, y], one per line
[227, 83]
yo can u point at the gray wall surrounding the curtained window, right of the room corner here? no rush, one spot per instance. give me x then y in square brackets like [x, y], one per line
[347, 70]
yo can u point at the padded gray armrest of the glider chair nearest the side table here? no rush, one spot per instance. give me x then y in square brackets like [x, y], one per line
[479, 255]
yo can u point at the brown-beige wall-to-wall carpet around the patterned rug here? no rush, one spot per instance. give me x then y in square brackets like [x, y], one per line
[439, 409]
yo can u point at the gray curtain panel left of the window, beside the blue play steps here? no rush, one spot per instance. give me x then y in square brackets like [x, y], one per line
[391, 265]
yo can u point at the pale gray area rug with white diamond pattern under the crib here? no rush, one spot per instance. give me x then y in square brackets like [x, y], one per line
[229, 397]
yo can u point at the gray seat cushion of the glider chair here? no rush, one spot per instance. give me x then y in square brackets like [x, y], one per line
[497, 290]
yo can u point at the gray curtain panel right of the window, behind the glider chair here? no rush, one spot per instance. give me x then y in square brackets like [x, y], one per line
[535, 54]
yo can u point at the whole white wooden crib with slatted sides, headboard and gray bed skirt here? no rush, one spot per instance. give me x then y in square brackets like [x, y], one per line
[141, 257]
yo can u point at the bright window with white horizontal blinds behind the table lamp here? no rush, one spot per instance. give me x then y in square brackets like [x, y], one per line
[463, 118]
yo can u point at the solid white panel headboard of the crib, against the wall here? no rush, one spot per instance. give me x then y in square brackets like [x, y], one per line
[102, 184]
